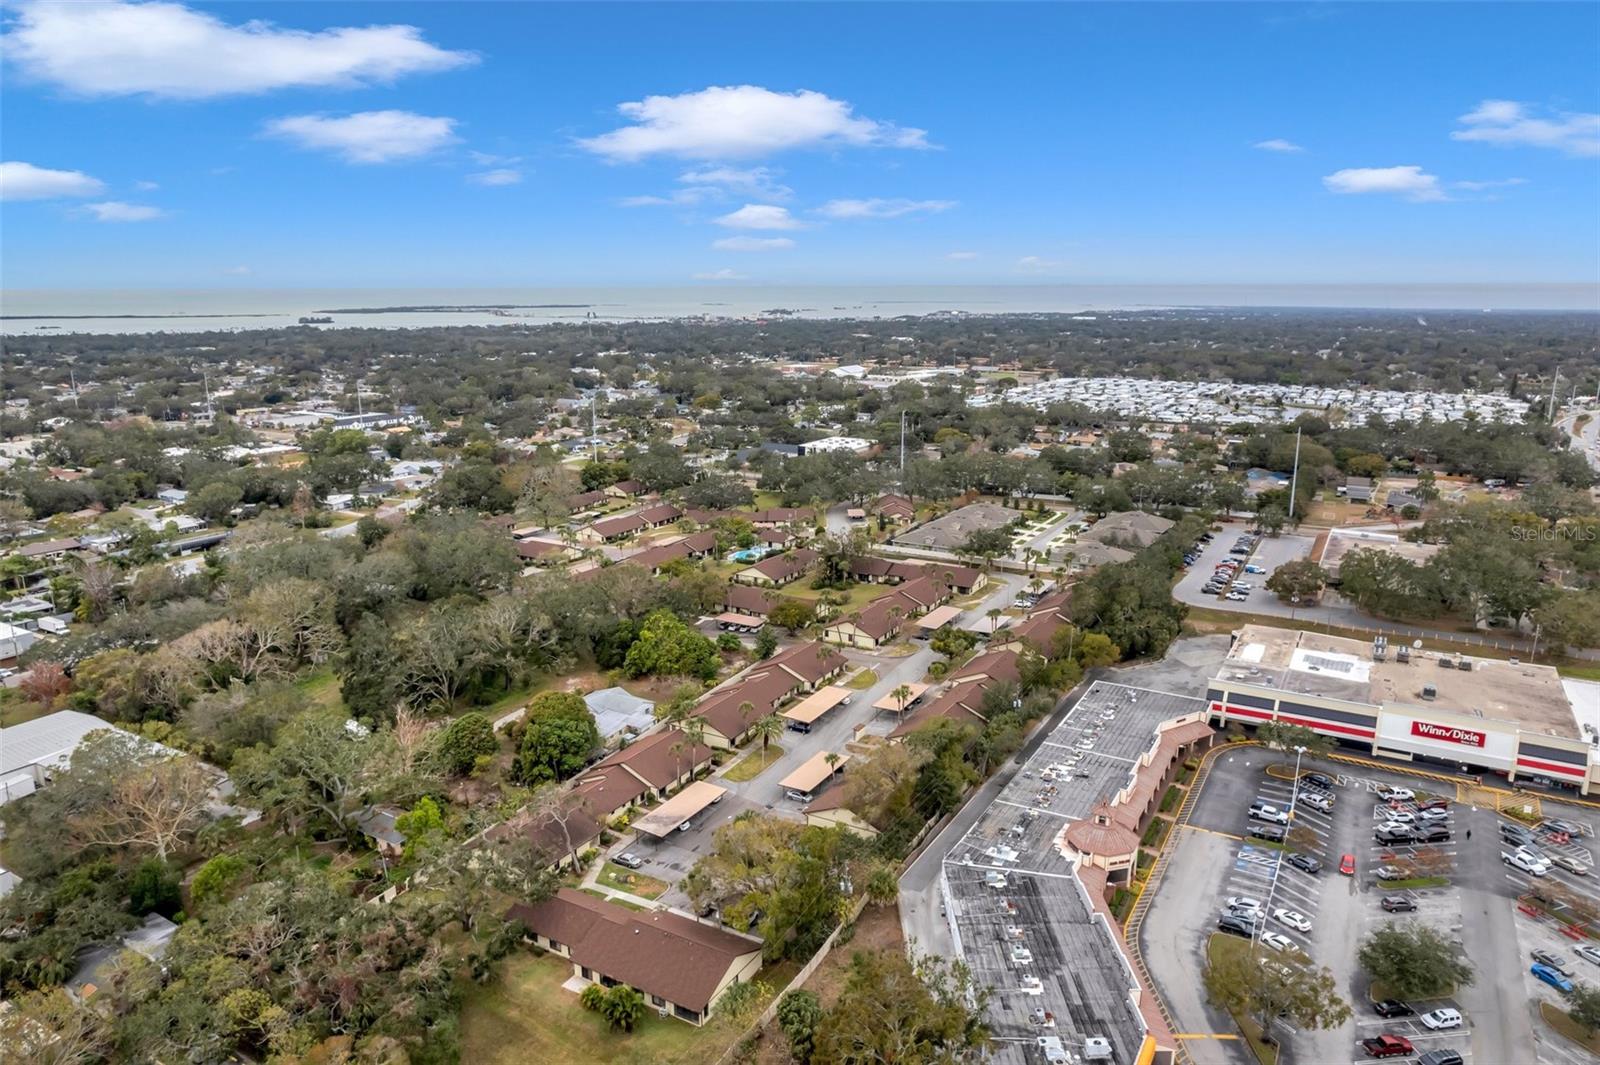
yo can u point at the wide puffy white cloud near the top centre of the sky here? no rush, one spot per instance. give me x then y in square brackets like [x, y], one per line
[743, 122]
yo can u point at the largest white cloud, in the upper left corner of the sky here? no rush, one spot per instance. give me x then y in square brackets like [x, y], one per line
[174, 52]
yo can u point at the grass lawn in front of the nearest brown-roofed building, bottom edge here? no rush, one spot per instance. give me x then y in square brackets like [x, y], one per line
[526, 1016]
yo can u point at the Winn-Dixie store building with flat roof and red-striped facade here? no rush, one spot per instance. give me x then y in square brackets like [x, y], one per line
[1481, 716]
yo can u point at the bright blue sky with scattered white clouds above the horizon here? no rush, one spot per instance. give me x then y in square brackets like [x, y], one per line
[474, 145]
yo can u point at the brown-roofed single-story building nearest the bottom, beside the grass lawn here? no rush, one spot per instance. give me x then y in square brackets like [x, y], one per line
[681, 965]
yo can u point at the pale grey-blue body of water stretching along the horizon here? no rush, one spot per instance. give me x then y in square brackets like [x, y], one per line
[39, 313]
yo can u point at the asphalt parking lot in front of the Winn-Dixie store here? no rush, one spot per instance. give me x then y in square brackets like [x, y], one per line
[1478, 907]
